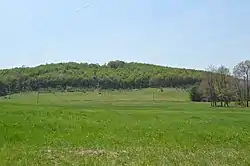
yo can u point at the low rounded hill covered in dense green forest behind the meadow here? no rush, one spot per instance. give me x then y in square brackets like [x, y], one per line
[113, 75]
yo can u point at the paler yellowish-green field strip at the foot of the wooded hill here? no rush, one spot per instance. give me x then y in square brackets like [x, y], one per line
[77, 97]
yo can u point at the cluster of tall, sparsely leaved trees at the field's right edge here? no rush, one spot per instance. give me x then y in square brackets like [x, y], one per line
[219, 86]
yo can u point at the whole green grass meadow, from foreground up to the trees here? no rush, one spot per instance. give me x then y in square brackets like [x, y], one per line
[121, 128]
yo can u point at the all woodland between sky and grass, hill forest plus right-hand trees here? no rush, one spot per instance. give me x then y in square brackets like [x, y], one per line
[216, 84]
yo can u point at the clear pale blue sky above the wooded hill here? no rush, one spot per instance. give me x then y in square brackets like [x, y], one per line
[179, 33]
